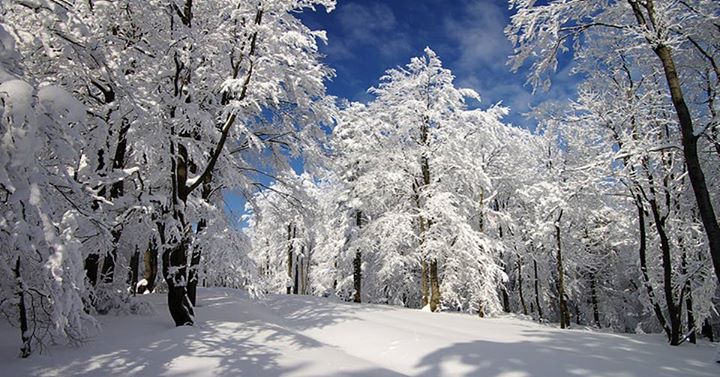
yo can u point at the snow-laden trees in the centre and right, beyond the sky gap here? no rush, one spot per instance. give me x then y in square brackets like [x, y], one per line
[603, 216]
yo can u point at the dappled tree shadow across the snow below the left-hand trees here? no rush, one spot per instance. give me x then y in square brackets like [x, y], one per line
[235, 336]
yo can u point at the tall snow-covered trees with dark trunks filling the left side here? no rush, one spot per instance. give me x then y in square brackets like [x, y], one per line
[121, 124]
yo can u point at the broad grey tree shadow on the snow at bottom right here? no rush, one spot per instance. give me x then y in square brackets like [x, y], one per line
[567, 353]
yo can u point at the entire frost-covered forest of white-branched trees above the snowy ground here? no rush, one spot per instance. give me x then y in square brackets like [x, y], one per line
[125, 124]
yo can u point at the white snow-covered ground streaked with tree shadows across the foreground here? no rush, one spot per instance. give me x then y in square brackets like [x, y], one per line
[310, 336]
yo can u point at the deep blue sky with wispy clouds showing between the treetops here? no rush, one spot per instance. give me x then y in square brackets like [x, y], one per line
[367, 37]
